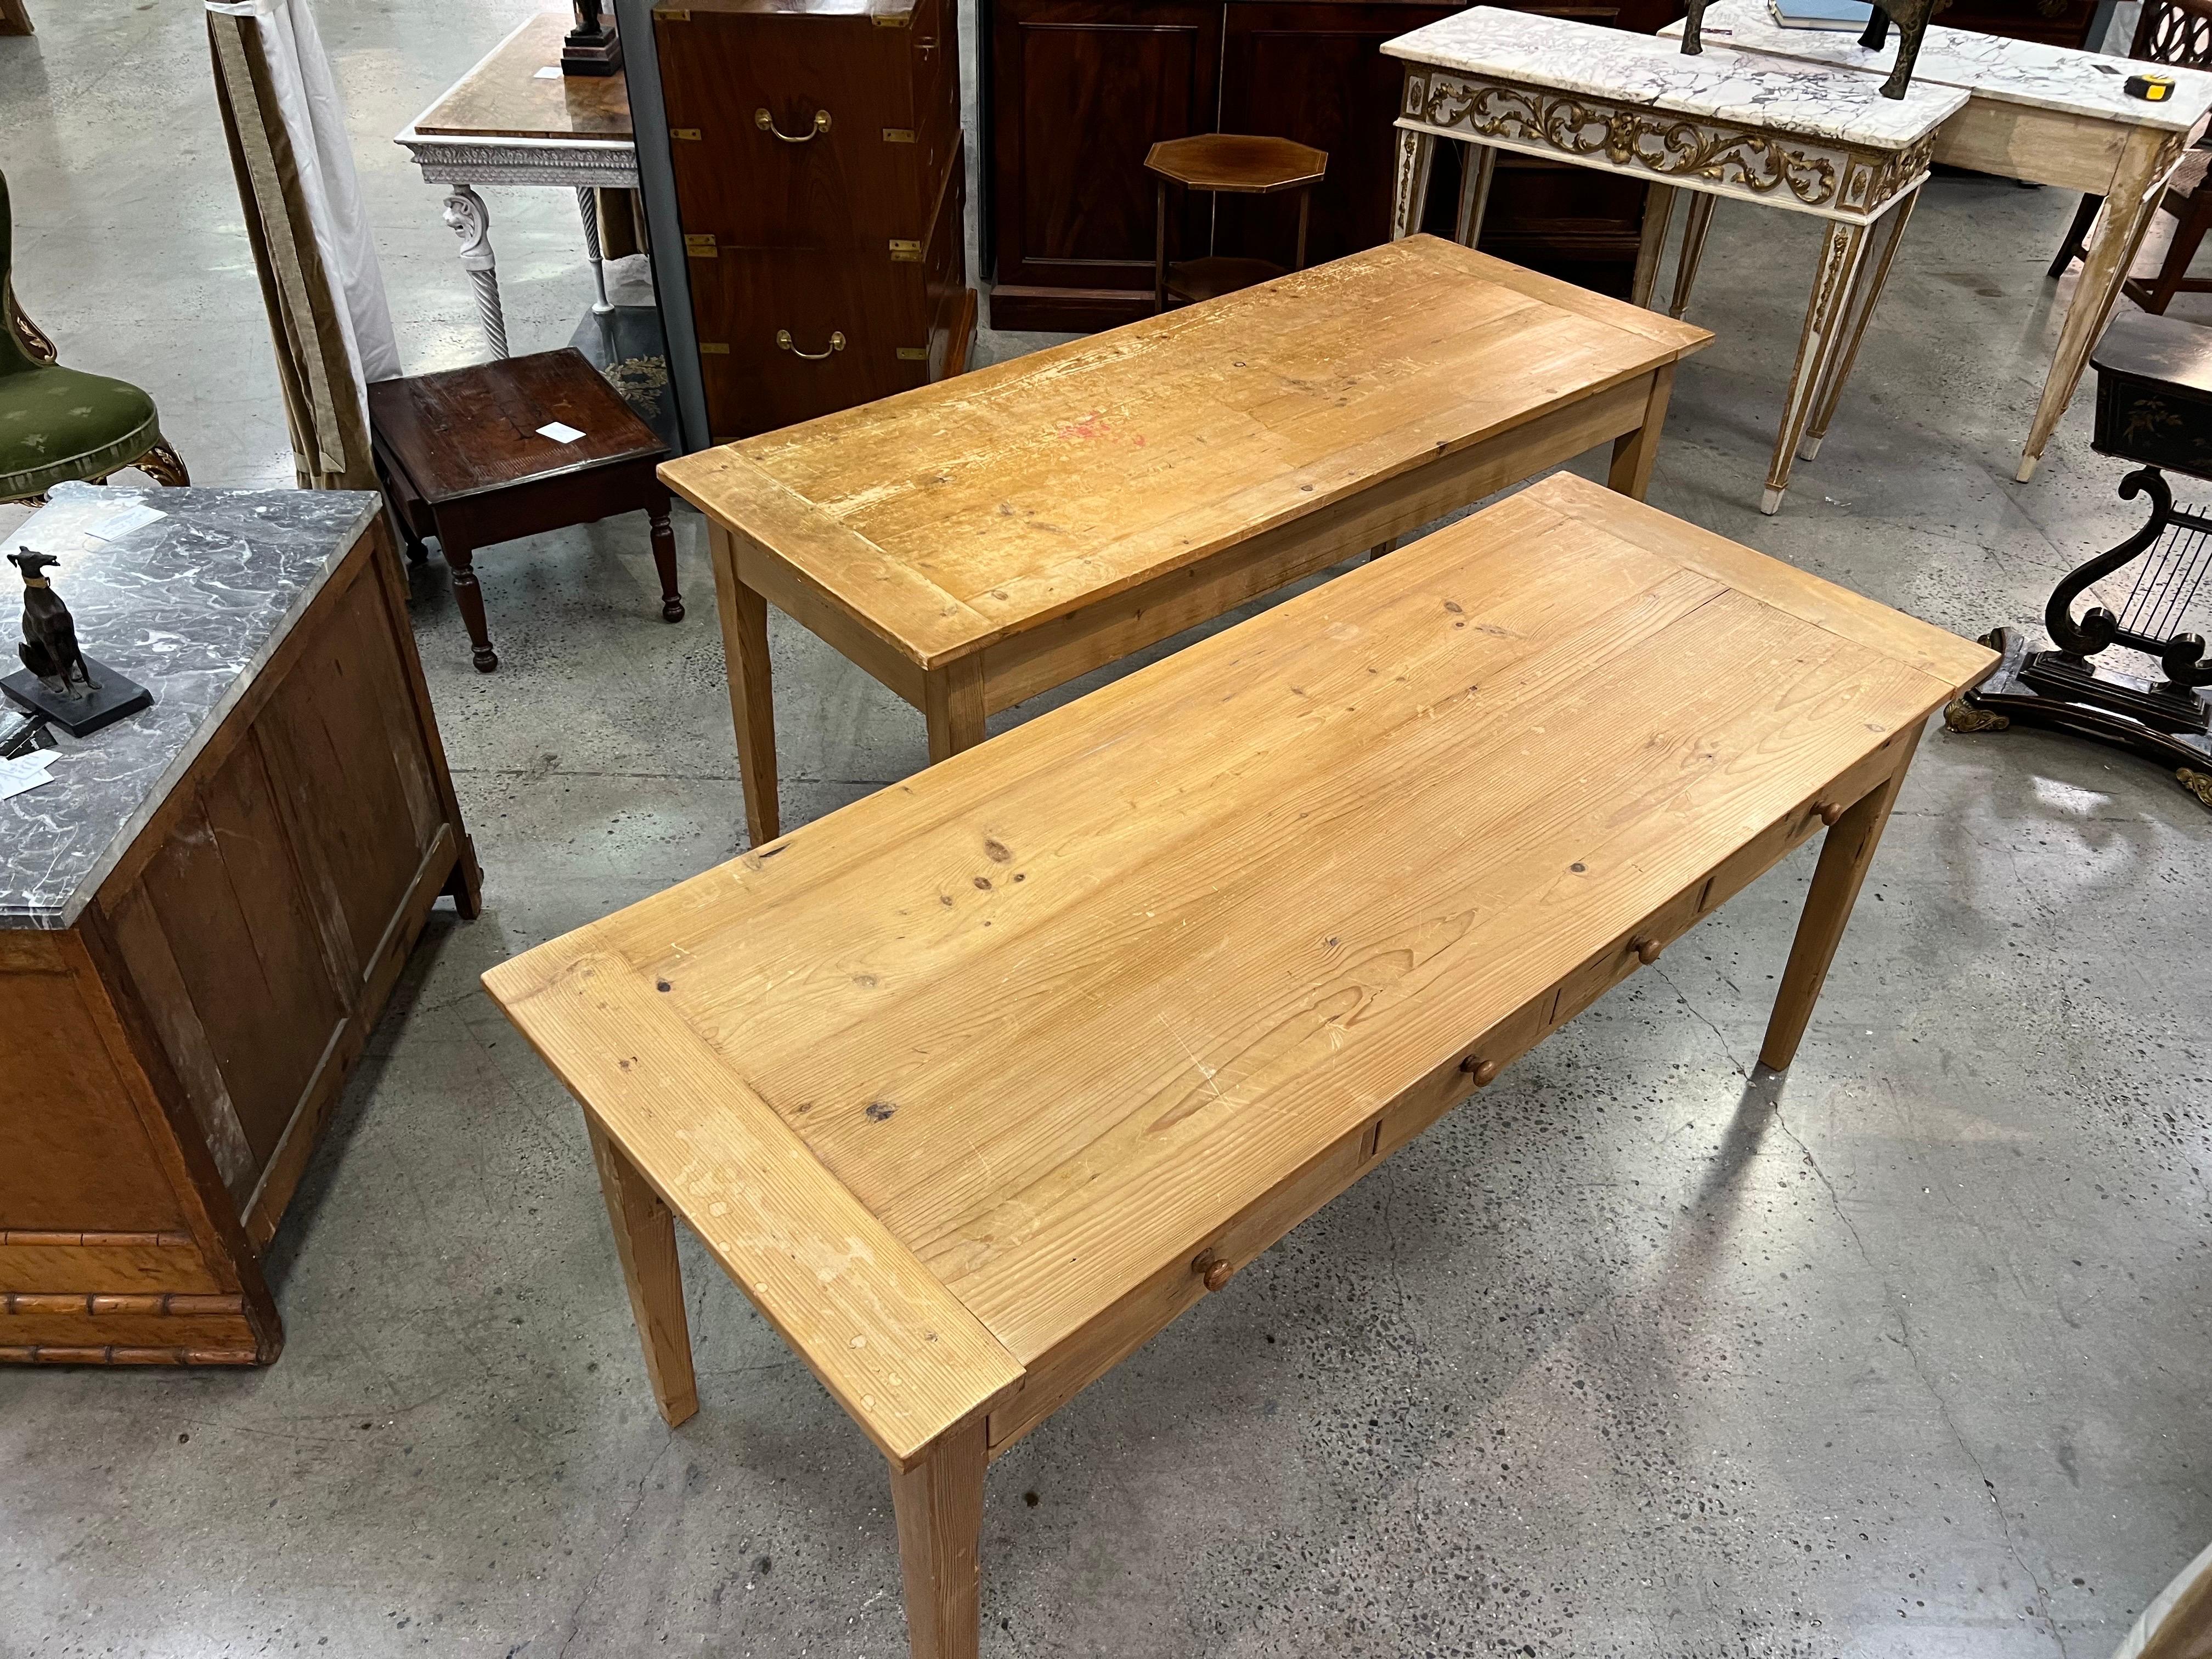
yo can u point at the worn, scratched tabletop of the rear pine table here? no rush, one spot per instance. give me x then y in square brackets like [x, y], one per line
[988, 505]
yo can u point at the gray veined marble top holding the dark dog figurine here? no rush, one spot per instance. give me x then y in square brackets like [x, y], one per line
[189, 607]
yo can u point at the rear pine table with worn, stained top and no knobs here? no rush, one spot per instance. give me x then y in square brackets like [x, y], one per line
[999, 534]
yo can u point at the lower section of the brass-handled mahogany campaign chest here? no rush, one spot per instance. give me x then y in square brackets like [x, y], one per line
[884, 309]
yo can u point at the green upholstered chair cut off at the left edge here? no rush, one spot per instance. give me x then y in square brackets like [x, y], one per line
[63, 424]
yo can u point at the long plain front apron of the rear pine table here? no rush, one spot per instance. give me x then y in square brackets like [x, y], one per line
[1105, 632]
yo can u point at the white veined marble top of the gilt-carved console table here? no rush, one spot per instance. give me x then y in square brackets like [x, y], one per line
[1808, 101]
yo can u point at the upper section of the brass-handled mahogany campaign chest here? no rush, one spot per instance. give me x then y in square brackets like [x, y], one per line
[866, 178]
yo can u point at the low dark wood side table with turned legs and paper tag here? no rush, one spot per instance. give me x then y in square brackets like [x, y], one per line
[463, 459]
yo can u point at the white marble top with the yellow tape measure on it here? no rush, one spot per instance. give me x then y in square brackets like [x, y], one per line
[2010, 72]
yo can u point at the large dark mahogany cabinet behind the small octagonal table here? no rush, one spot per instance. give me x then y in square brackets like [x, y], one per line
[1076, 92]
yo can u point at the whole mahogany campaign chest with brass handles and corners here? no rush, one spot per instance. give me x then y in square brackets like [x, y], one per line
[824, 198]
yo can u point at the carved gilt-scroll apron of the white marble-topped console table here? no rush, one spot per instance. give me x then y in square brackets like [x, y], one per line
[1824, 178]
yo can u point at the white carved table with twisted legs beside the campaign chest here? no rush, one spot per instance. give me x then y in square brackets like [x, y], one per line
[508, 123]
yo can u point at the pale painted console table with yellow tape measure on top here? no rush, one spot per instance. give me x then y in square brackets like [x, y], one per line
[2034, 114]
